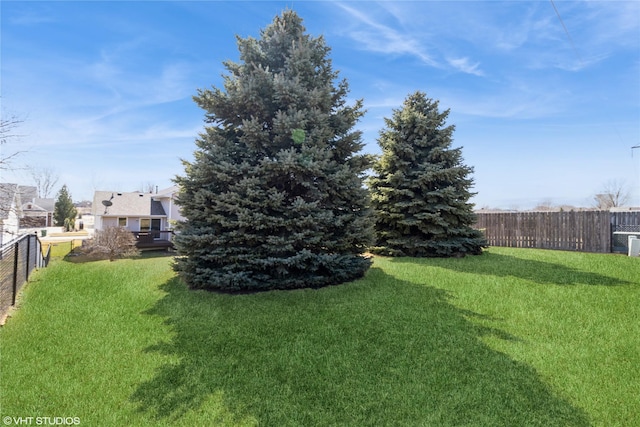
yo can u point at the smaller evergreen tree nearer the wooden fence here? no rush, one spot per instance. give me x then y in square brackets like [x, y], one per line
[421, 188]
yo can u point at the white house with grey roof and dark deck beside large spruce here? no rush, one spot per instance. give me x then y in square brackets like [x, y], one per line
[149, 216]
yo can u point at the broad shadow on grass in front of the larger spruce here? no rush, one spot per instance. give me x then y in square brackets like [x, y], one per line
[378, 351]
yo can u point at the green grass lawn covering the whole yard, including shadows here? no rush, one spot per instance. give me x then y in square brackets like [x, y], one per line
[511, 338]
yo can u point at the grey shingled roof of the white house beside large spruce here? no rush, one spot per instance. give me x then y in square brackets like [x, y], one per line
[112, 203]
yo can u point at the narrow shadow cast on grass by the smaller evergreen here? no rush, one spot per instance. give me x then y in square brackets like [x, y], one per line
[500, 265]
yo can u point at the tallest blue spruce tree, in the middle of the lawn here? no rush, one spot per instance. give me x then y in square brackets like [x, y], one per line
[274, 198]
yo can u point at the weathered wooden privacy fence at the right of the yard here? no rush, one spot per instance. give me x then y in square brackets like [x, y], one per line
[585, 231]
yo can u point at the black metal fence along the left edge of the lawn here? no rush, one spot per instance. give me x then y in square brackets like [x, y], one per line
[18, 259]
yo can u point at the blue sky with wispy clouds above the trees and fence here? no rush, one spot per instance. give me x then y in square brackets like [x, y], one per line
[546, 108]
